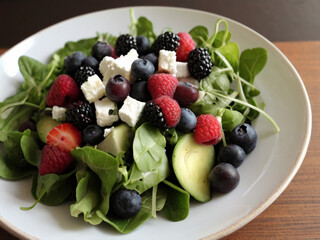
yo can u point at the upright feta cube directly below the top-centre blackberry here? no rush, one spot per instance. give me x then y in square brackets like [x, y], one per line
[167, 62]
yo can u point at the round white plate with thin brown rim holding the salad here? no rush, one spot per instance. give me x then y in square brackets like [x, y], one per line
[264, 175]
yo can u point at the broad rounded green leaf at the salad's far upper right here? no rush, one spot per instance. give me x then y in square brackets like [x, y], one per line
[252, 61]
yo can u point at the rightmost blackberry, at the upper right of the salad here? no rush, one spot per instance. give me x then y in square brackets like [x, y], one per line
[199, 63]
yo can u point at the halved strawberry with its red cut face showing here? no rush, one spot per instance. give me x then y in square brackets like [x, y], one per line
[64, 136]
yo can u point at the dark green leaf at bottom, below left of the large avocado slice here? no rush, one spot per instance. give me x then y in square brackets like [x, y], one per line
[177, 203]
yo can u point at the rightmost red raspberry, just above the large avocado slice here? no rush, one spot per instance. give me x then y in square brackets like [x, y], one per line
[208, 130]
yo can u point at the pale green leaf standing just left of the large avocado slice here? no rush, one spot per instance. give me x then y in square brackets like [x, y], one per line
[150, 165]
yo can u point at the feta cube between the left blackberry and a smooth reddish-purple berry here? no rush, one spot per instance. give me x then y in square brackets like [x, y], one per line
[93, 89]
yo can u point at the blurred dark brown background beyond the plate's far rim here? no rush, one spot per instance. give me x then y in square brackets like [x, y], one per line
[277, 20]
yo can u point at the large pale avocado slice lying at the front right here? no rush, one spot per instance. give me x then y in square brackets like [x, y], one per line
[192, 164]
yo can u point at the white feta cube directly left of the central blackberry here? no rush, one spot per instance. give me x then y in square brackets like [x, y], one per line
[131, 110]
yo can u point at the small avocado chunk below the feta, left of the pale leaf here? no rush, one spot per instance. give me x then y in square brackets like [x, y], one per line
[120, 139]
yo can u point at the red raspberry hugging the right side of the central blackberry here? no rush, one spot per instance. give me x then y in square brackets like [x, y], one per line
[170, 109]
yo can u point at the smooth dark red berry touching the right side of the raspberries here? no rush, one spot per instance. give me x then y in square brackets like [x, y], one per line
[186, 94]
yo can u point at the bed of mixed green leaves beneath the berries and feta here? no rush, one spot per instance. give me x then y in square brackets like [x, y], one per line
[95, 174]
